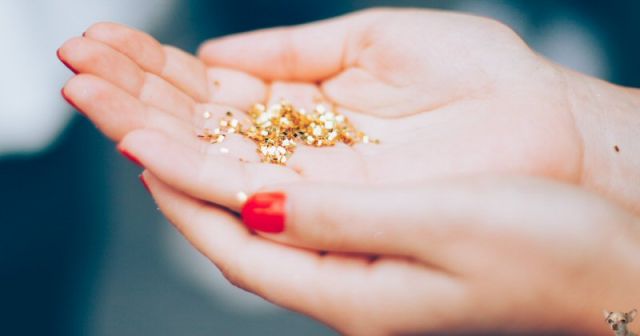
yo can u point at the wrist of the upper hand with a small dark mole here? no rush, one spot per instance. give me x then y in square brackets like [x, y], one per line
[608, 118]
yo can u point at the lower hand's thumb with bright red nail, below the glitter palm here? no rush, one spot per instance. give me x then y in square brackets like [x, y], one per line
[359, 219]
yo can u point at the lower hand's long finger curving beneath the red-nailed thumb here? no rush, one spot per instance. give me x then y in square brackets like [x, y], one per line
[330, 288]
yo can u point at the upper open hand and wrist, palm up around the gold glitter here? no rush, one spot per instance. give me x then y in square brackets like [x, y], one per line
[447, 94]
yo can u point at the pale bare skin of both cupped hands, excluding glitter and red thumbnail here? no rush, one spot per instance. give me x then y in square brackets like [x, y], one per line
[448, 95]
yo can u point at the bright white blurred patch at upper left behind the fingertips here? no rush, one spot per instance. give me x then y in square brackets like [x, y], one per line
[32, 113]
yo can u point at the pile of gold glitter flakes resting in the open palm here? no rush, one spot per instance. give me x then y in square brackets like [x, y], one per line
[278, 129]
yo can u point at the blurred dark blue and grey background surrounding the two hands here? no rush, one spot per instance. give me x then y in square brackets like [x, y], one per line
[83, 250]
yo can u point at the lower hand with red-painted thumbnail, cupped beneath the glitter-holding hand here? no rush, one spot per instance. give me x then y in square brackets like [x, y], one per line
[469, 255]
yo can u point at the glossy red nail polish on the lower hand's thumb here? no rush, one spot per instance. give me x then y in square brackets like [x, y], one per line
[265, 212]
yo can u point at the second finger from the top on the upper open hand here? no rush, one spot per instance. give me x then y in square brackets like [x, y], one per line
[85, 55]
